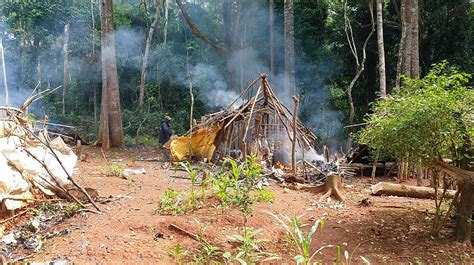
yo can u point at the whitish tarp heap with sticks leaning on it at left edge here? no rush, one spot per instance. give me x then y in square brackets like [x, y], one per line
[31, 163]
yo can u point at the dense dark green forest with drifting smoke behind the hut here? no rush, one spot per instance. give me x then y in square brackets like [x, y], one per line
[52, 43]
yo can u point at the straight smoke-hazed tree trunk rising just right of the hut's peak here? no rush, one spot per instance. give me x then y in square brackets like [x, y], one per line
[289, 31]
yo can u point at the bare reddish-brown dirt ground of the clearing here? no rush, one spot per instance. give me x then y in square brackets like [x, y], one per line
[390, 230]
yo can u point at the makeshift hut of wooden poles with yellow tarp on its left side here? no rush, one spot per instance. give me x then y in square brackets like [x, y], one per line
[261, 126]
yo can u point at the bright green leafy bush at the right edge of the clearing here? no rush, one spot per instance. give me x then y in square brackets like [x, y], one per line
[425, 118]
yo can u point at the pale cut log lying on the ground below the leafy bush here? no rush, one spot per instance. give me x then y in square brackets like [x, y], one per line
[401, 190]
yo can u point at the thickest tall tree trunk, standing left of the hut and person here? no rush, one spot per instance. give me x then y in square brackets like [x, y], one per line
[110, 130]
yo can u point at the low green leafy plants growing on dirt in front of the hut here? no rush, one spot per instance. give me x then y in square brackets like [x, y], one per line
[234, 184]
